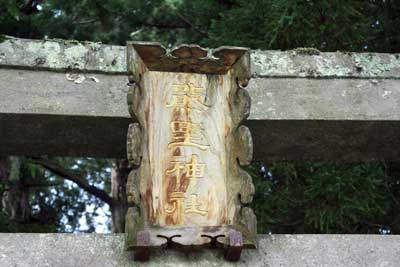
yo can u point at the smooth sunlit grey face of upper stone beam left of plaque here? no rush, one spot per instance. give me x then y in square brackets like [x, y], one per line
[43, 92]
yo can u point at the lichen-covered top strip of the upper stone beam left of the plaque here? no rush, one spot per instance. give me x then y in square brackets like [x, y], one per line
[62, 55]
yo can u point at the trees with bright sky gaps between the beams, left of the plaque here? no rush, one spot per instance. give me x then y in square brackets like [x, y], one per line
[54, 204]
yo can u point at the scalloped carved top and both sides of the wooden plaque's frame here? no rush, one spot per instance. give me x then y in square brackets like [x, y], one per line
[237, 62]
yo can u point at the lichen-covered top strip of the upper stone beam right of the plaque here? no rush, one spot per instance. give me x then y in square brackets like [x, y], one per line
[310, 63]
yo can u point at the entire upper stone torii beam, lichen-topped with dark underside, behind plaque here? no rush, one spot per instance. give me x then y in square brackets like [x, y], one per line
[67, 98]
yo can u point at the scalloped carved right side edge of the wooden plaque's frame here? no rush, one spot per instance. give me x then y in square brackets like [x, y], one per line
[242, 187]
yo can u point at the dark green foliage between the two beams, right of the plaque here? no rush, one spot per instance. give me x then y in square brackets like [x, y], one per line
[326, 198]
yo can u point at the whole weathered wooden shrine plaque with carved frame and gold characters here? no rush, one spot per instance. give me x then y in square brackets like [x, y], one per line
[188, 146]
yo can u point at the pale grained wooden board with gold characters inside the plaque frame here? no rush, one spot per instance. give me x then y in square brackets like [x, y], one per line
[168, 152]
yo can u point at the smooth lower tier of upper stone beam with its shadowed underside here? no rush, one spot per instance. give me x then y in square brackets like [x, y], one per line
[351, 119]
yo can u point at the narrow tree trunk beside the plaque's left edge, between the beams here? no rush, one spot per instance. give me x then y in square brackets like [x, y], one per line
[119, 176]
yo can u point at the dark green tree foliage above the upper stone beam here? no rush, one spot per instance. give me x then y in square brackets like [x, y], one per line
[328, 25]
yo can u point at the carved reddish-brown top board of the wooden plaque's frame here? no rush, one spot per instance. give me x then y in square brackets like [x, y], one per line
[183, 58]
